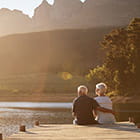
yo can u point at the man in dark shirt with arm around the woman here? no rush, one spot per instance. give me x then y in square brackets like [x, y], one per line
[83, 107]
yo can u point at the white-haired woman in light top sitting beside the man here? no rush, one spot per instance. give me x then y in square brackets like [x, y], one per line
[103, 101]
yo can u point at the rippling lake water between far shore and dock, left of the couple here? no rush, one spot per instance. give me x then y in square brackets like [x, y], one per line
[26, 113]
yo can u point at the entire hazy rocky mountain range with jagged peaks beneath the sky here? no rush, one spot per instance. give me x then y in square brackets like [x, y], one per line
[70, 14]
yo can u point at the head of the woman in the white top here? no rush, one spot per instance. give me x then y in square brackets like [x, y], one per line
[101, 89]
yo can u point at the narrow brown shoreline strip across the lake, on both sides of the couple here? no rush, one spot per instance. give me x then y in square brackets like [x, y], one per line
[59, 97]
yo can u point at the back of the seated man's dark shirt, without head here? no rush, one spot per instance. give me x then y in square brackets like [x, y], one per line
[83, 107]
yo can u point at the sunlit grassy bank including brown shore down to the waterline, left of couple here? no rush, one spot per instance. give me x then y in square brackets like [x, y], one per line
[40, 87]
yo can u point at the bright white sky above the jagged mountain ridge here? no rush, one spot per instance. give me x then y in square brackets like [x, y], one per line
[27, 6]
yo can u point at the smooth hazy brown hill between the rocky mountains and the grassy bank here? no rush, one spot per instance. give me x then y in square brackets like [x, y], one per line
[73, 51]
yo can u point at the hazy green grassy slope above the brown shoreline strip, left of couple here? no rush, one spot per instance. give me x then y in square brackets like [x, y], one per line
[36, 83]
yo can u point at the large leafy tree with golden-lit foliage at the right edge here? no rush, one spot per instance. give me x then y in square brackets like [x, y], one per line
[121, 68]
